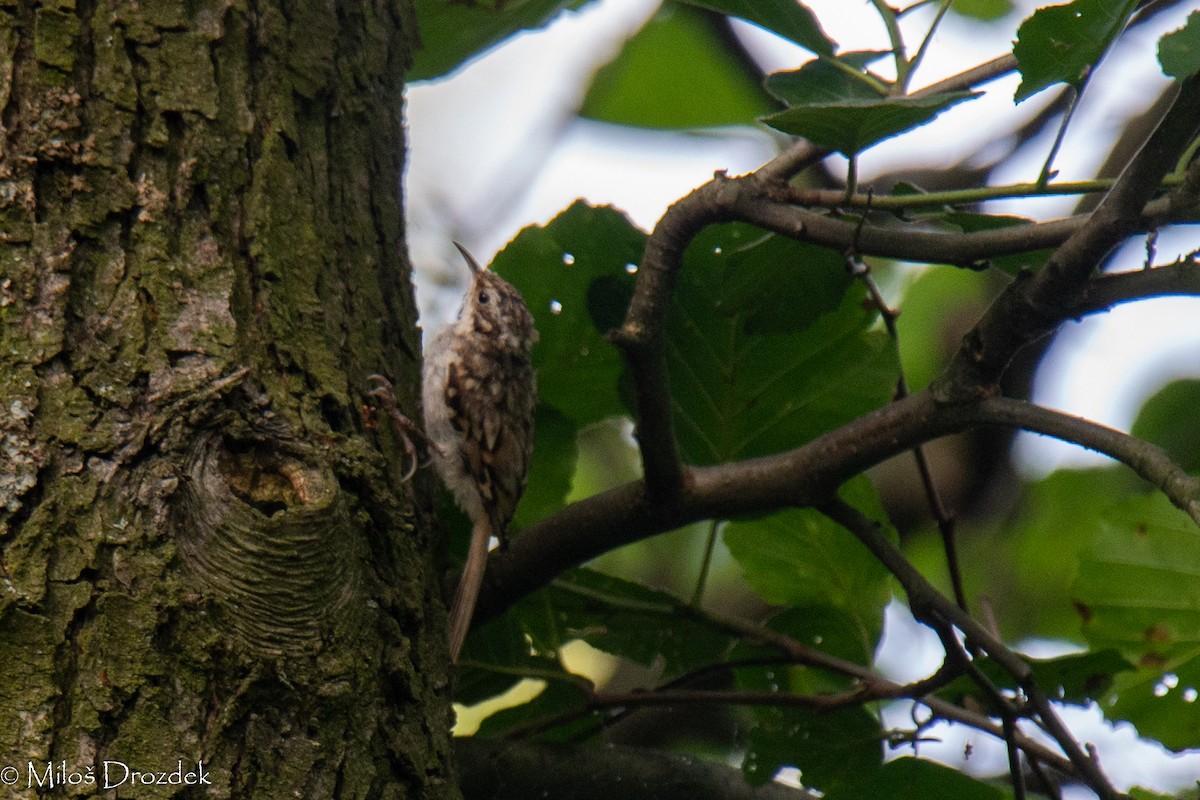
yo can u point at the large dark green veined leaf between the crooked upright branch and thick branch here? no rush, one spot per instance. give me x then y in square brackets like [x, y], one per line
[740, 394]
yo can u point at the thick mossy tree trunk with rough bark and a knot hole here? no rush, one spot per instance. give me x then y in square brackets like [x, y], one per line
[207, 563]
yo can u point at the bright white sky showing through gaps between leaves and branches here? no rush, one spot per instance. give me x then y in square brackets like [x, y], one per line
[497, 148]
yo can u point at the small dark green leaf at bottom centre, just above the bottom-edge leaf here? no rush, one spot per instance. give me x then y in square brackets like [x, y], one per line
[837, 750]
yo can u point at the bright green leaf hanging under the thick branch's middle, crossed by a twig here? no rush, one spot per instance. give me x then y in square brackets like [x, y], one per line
[801, 558]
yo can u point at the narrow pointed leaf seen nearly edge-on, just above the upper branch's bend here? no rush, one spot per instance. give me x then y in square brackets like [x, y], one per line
[851, 127]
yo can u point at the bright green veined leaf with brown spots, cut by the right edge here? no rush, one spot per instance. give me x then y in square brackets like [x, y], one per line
[1138, 587]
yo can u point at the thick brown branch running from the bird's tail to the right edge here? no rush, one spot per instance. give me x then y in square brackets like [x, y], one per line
[799, 478]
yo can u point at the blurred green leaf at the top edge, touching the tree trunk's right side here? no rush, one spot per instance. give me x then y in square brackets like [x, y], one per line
[453, 33]
